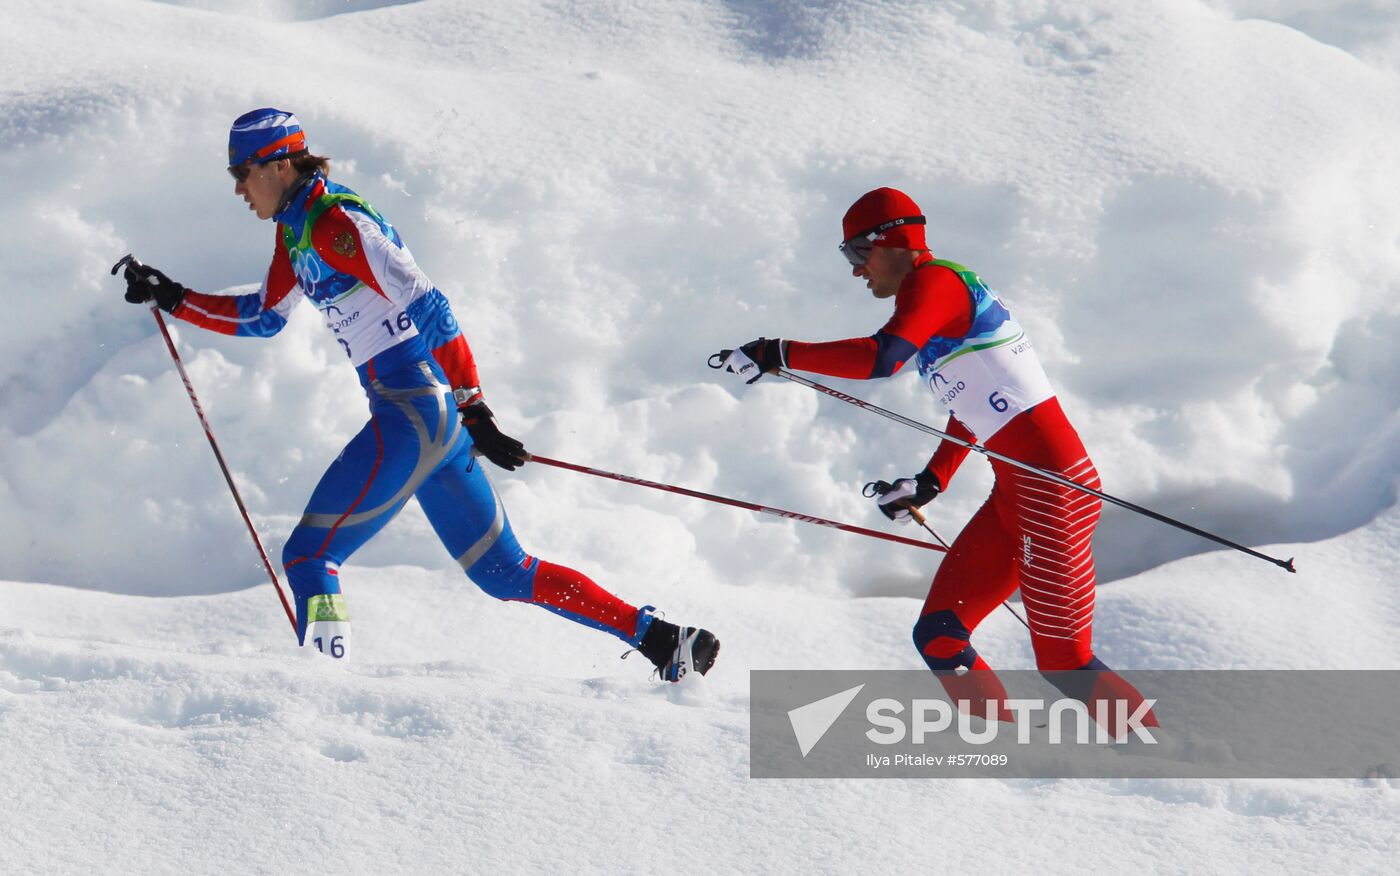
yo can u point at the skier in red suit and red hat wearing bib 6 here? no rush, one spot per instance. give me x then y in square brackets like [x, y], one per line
[1032, 534]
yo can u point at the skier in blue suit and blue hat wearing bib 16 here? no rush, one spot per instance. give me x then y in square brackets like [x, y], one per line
[428, 412]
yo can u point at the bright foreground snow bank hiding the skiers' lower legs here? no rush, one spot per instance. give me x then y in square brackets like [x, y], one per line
[461, 742]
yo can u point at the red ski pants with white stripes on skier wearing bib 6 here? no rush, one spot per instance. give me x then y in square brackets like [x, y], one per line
[1031, 534]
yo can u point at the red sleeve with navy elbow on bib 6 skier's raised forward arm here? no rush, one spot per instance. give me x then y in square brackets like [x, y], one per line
[933, 300]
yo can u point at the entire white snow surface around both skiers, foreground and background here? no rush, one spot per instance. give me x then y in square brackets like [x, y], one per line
[1191, 205]
